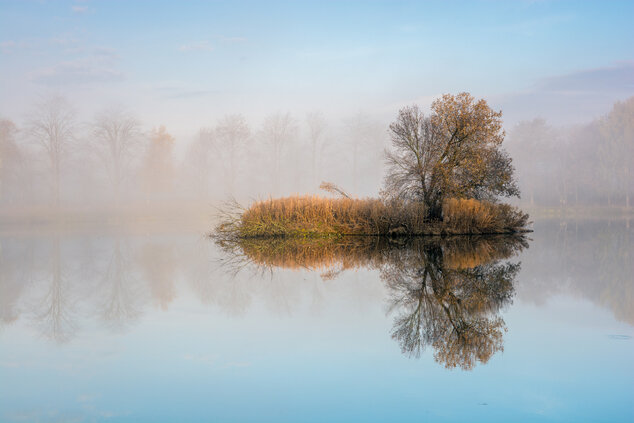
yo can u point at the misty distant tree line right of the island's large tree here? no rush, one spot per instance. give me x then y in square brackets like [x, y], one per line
[582, 165]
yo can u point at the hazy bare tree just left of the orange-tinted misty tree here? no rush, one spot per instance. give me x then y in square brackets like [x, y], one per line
[116, 134]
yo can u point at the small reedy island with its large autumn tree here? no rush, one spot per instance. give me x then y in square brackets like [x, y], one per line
[445, 175]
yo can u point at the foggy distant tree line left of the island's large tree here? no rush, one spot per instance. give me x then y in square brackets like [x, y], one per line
[53, 158]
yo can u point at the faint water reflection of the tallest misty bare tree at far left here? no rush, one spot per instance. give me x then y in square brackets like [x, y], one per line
[55, 315]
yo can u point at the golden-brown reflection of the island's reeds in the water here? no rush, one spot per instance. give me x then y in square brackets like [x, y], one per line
[367, 251]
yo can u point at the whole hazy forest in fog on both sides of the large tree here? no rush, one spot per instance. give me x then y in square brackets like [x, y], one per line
[114, 162]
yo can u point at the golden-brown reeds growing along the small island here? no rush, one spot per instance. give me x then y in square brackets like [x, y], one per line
[326, 217]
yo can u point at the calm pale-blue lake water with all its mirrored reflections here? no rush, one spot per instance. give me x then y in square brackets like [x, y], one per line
[122, 323]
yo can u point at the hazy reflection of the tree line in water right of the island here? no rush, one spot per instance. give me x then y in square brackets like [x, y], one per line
[585, 258]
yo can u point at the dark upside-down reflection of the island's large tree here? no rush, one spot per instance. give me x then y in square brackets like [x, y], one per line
[452, 309]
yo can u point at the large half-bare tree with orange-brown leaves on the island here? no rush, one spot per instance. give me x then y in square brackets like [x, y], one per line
[453, 152]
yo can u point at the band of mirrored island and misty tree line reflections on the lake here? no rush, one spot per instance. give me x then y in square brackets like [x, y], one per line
[443, 295]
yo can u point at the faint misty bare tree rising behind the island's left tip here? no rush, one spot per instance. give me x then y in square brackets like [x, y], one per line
[232, 133]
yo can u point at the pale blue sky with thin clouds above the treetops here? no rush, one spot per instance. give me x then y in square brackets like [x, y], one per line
[185, 64]
